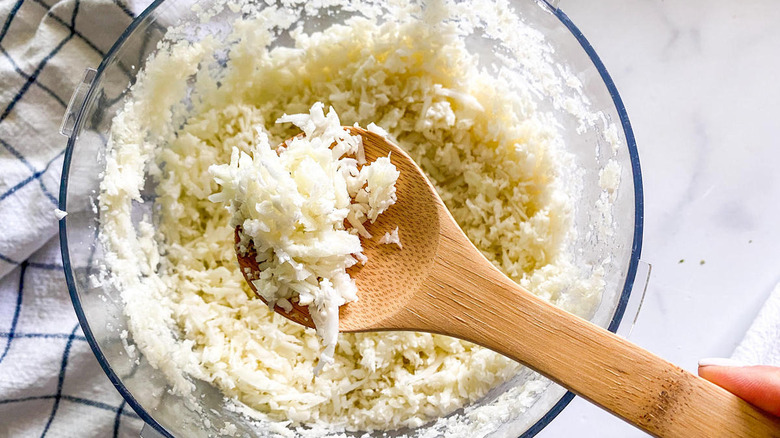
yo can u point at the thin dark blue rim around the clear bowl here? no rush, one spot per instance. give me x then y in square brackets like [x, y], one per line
[536, 427]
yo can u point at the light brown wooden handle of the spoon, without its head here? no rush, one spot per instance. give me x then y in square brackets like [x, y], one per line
[484, 306]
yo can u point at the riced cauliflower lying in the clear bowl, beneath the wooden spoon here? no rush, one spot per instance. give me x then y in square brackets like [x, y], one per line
[491, 156]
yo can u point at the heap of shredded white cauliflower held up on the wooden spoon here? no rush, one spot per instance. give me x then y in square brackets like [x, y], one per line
[291, 204]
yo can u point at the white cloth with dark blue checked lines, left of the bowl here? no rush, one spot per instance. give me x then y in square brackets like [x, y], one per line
[50, 383]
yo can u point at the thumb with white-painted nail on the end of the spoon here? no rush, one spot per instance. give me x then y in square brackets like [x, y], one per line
[758, 385]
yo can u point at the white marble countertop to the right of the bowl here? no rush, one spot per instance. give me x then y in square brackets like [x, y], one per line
[699, 80]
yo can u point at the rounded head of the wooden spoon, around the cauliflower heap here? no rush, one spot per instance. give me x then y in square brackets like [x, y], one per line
[387, 282]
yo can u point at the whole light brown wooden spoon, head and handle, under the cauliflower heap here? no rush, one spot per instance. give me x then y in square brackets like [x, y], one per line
[440, 283]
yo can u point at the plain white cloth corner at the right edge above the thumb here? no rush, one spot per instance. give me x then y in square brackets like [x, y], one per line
[761, 344]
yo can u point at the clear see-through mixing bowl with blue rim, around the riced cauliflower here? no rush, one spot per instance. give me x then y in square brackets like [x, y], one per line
[100, 309]
